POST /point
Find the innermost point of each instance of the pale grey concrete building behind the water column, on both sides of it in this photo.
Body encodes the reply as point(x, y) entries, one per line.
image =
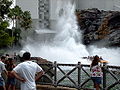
point(43, 11)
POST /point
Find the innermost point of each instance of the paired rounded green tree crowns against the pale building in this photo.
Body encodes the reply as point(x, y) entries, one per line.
point(22, 18)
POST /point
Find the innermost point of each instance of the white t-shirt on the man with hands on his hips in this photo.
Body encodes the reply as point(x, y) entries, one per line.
point(28, 71)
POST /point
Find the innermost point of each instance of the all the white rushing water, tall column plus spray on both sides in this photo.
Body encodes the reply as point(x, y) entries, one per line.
point(64, 43)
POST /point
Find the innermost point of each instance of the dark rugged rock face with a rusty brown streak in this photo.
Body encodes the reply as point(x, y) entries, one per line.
point(100, 26)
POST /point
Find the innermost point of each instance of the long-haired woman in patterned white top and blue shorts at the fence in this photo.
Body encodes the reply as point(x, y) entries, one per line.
point(96, 72)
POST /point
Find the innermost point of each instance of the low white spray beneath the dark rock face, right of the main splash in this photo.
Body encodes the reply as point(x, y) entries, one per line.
point(109, 54)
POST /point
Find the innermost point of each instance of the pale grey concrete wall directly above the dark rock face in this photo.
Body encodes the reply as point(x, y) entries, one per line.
point(100, 4)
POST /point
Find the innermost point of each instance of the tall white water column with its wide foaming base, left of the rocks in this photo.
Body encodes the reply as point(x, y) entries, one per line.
point(66, 46)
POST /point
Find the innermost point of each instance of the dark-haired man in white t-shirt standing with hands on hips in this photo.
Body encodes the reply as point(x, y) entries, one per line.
point(26, 73)
